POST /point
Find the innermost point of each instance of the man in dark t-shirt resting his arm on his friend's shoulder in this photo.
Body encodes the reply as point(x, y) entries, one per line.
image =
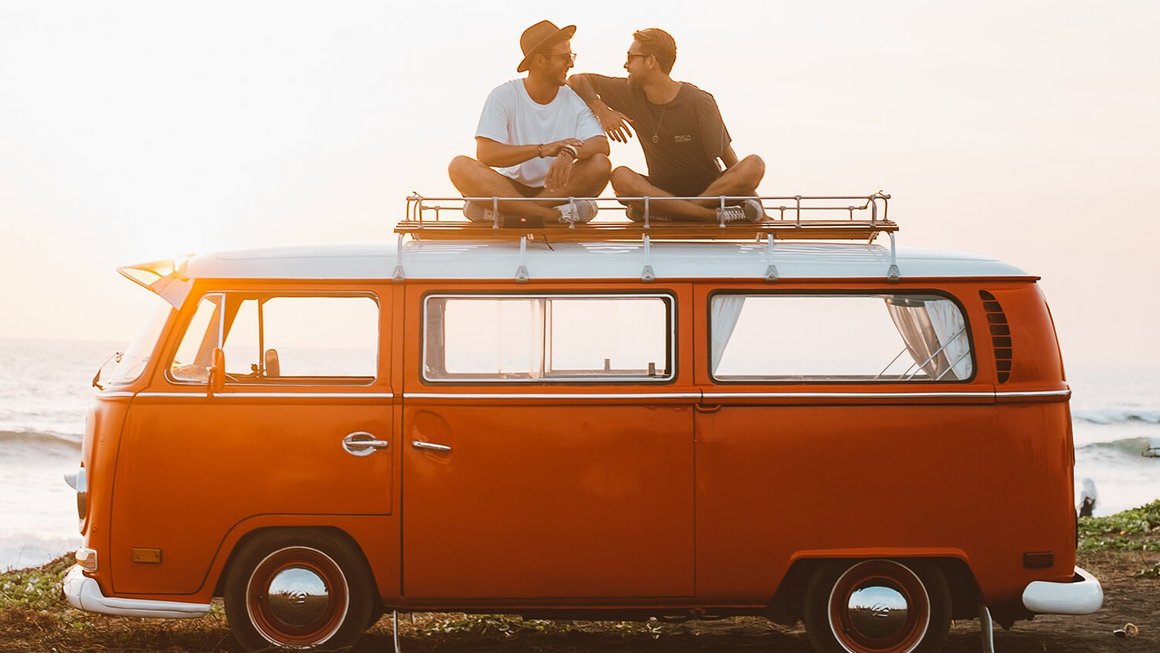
point(681, 132)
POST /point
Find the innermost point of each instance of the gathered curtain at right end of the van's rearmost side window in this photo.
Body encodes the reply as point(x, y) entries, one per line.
point(936, 336)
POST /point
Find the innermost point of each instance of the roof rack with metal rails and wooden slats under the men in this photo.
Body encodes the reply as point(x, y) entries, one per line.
point(811, 217)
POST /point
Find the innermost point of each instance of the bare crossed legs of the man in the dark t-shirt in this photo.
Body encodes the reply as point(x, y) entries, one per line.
point(742, 179)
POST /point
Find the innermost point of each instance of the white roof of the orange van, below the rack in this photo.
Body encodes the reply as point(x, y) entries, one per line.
point(607, 260)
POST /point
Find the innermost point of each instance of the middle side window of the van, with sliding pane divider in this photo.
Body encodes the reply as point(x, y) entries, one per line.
point(548, 338)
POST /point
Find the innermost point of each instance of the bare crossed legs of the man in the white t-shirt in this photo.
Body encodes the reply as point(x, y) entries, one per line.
point(474, 179)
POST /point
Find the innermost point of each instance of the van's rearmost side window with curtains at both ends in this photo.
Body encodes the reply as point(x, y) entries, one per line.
point(847, 338)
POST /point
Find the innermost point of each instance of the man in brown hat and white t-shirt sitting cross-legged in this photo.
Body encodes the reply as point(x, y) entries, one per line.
point(541, 139)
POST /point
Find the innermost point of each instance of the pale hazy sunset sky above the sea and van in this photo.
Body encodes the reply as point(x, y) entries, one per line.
point(136, 132)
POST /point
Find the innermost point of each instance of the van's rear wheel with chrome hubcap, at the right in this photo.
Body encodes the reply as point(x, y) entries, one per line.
point(878, 607)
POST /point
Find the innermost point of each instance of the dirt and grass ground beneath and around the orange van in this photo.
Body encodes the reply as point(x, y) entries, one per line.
point(1127, 600)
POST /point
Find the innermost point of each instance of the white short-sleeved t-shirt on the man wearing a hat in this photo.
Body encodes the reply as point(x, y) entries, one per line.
point(512, 118)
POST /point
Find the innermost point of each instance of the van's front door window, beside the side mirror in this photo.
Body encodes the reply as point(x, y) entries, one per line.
point(284, 339)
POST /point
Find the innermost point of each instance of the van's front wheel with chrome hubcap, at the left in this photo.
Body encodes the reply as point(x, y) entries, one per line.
point(299, 590)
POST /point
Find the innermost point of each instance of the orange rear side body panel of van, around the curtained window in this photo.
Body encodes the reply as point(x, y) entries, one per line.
point(780, 478)
